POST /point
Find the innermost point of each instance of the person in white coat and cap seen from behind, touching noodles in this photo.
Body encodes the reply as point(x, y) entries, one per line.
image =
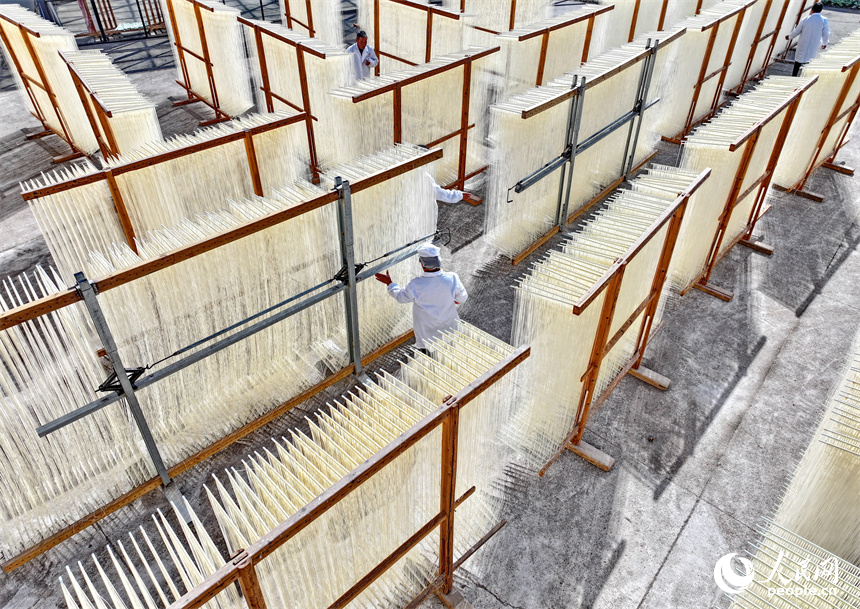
point(434, 296)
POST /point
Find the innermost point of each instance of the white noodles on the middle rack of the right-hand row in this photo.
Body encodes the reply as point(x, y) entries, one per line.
point(709, 146)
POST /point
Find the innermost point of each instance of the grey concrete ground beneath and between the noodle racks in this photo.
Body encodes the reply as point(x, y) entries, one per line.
point(698, 466)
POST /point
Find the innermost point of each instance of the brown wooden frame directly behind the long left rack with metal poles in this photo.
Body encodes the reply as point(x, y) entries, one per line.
point(109, 175)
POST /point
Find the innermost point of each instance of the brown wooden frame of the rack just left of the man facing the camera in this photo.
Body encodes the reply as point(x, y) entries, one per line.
point(264, 29)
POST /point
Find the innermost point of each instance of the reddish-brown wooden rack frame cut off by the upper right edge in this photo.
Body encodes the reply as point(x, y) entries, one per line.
point(827, 158)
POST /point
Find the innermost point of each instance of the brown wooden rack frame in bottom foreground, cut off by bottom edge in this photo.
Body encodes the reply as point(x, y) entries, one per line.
point(241, 567)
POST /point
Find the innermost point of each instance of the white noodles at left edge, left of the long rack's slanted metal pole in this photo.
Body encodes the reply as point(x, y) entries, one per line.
point(48, 367)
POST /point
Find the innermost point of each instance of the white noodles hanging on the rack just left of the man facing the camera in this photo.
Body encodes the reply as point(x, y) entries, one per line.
point(322, 74)
